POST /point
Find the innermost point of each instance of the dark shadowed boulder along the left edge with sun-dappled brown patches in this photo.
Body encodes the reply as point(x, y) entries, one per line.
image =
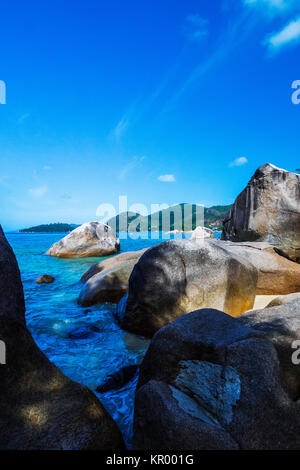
point(40, 408)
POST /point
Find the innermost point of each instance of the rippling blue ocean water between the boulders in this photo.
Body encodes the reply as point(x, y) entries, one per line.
point(56, 321)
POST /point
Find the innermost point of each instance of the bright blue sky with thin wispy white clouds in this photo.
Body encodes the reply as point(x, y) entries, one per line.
point(162, 101)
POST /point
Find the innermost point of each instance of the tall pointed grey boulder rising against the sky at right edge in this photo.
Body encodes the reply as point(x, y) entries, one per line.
point(268, 209)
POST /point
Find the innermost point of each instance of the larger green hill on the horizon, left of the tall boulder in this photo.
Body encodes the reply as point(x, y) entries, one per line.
point(180, 217)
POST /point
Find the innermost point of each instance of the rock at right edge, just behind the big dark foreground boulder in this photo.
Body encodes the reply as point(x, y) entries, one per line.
point(281, 325)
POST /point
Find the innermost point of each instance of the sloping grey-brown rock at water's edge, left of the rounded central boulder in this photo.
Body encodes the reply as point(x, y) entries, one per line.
point(107, 281)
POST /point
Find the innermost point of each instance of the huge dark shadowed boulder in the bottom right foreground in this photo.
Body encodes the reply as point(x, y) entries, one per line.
point(210, 383)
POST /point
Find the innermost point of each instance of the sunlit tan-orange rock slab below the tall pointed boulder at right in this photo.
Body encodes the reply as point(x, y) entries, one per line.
point(276, 274)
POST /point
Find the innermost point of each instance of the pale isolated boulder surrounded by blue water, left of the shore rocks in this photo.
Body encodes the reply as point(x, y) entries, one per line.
point(90, 239)
